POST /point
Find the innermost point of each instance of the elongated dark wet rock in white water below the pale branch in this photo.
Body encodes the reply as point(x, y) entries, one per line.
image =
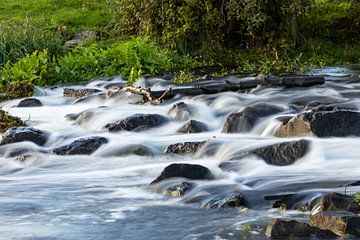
point(137, 122)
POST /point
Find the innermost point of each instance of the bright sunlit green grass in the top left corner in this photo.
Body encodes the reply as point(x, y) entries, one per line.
point(63, 15)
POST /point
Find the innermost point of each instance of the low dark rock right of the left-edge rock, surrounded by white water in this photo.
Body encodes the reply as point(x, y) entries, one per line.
point(83, 146)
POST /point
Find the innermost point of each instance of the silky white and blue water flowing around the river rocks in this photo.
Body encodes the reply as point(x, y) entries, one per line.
point(107, 195)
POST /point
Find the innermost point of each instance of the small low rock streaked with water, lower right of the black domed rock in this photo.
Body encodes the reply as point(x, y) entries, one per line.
point(228, 201)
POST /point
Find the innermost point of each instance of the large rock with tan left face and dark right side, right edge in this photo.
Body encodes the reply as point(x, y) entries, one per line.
point(322, 124)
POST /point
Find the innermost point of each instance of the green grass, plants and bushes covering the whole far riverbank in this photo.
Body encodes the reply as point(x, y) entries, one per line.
point(151, 37)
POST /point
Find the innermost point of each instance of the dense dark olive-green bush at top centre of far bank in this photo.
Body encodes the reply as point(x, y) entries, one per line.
point(211, 24)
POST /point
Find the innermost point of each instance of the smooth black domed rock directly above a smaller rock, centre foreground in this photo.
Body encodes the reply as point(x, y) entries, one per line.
point(183, 170)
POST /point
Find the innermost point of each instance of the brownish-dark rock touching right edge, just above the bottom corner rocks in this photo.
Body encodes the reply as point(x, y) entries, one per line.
point(334, 202)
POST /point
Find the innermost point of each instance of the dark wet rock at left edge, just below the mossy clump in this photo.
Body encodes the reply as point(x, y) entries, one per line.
point(20, 134)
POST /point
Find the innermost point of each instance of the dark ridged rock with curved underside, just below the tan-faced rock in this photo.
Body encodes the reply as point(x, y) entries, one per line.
point(282, 154)
